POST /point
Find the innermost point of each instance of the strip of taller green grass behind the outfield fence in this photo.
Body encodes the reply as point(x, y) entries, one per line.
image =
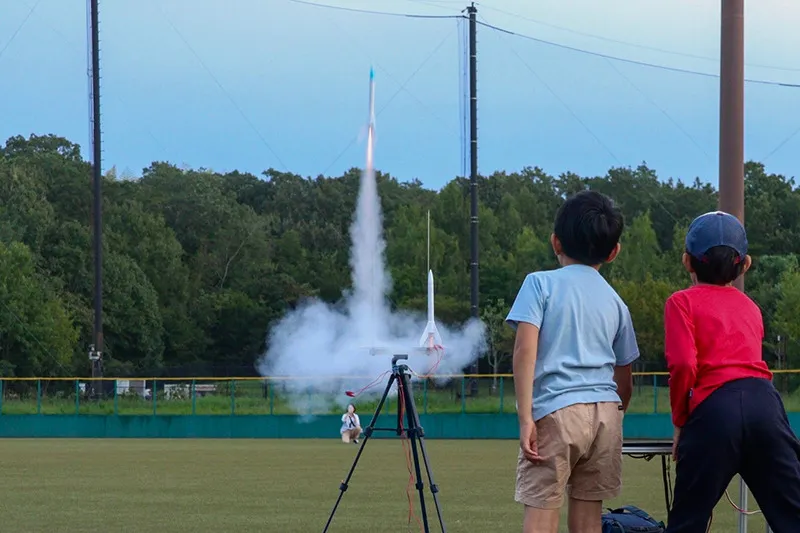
point(249, 397)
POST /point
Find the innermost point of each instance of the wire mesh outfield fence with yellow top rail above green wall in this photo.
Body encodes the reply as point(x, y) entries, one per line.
point(436, 394)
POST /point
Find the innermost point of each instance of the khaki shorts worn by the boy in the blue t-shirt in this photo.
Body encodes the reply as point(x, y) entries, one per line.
point(581, 447)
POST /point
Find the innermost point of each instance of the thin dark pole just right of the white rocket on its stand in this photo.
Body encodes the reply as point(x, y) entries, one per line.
point(473, 179)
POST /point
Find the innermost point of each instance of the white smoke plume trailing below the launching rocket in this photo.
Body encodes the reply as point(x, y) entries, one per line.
point(320, 351)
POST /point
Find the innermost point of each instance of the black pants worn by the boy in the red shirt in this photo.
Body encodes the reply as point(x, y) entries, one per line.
point(741, 428)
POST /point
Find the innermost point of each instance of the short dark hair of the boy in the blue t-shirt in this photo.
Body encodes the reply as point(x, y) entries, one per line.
point(589, 226)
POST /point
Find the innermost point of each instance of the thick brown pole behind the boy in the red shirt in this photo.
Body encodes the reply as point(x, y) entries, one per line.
point(731, 138)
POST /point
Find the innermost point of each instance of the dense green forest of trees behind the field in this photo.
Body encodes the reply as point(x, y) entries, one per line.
point(198, 264)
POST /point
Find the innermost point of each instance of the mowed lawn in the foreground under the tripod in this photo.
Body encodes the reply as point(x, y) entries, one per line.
point(281, 486)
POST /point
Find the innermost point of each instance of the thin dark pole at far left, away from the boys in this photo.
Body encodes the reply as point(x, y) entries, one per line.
point(96, 349)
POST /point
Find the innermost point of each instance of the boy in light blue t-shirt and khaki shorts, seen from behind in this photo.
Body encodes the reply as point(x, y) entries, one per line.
point(572, 372)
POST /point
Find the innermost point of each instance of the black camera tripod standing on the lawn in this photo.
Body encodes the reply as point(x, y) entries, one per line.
point(413, 430)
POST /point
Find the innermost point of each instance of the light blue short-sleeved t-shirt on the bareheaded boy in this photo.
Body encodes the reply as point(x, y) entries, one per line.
point(585, 330)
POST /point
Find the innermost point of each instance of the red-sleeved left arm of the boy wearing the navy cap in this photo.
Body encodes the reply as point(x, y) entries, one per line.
point(681, 353)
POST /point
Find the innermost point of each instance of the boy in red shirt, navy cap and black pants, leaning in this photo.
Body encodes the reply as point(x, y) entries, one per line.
point(728, 417)
